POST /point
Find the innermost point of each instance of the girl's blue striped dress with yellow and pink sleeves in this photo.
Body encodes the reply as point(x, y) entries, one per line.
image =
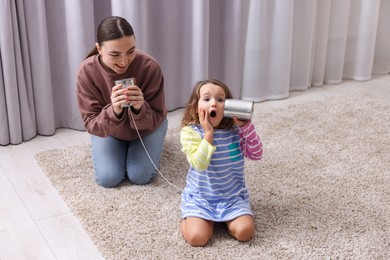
point(215, 186)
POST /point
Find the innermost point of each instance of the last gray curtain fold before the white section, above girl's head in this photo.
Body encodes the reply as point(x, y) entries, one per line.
point(226, 61)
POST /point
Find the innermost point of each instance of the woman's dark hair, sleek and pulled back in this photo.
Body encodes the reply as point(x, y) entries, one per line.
point(111, 28)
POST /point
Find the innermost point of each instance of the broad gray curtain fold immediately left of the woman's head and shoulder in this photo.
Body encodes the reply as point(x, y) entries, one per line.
point(70, 36)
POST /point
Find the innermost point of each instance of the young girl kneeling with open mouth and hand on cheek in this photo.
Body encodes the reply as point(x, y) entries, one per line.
point(215, 148)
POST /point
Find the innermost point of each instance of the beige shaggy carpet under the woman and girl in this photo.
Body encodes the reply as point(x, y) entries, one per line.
point(322, 191)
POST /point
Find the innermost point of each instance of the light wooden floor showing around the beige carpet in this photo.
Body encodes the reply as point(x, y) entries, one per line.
point(35, 223)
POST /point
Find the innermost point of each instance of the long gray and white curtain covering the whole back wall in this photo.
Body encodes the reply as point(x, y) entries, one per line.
point(261, 48)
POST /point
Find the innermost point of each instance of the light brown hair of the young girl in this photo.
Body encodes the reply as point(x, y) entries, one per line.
point(190, 116)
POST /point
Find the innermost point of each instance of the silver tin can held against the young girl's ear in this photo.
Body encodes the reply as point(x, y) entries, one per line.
point(242, 109)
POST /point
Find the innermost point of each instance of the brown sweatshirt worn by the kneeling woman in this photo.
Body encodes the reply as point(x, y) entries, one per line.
point(93, 91)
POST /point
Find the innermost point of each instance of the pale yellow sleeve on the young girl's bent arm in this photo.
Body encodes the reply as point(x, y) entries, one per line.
point(197, 150)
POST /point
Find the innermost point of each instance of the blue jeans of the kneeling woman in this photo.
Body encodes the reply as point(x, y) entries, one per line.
point(113, 158)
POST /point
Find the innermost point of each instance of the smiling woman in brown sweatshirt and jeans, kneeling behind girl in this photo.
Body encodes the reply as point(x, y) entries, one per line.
point(117, 150)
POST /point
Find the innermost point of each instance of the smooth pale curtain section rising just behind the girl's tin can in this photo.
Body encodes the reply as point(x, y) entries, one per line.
point(267, 58)
